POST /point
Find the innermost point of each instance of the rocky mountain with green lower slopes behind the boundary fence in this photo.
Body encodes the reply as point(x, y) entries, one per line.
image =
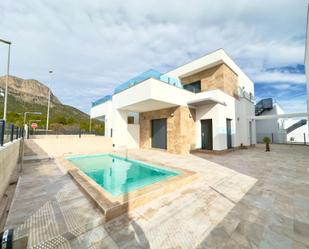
point(32, 95)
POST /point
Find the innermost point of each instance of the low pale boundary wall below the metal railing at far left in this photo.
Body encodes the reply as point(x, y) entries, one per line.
point(9, 154)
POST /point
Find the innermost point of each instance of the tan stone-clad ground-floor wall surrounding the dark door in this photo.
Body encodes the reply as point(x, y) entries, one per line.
point(180, 128)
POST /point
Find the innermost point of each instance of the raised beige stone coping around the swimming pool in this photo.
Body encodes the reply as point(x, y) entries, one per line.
point(114, 206)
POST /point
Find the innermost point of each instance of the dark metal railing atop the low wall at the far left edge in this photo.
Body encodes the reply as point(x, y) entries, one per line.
point(9, 132)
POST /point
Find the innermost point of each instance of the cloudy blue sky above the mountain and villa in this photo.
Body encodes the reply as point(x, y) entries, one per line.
point(92, 46)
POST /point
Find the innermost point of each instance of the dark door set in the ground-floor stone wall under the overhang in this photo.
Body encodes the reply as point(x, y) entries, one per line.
point(158, 133)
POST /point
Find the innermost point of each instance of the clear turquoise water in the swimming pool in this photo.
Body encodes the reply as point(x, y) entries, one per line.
point(118, 175)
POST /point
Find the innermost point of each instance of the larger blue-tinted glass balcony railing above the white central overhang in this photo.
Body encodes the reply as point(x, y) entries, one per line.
point(146, 75)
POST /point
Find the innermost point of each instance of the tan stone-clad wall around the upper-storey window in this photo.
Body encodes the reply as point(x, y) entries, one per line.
point(218, 77)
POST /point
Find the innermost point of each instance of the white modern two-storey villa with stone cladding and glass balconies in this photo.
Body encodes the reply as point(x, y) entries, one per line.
point(206, 104)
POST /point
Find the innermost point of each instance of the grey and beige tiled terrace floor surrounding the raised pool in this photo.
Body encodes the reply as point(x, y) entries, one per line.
point(244, 199)
